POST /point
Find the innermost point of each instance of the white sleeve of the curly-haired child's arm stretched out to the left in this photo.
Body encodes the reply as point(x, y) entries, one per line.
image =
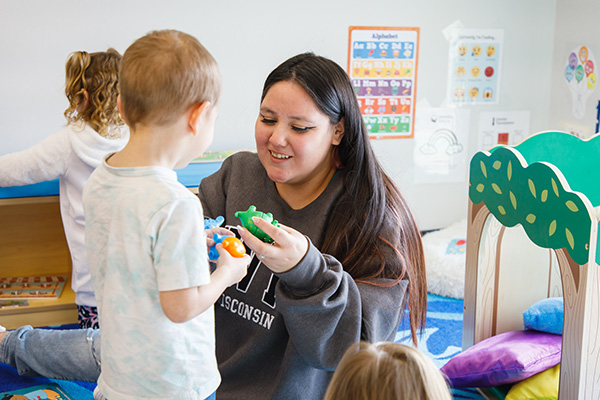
point(46, 160)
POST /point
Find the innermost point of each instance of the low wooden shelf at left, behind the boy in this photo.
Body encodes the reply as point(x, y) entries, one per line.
point(32, 243)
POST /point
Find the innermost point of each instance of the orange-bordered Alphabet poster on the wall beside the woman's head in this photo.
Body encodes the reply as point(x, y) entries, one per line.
point(382, 64)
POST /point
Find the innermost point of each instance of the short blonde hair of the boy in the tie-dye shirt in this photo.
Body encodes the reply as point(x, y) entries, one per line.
point(163, 74)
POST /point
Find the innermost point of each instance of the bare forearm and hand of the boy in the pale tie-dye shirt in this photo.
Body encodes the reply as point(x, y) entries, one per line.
point(184, 304)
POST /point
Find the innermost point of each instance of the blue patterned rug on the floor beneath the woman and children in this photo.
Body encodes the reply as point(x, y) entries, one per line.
point(441, 340)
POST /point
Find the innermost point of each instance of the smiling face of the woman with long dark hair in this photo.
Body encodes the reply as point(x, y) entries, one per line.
point(294, 139)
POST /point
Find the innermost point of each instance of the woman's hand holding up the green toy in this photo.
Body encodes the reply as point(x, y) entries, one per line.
point(285, 253)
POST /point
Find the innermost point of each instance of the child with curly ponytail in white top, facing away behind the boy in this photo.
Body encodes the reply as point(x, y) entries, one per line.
point(94, 129)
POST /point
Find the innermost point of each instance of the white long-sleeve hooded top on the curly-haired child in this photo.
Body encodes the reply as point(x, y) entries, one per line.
point(70, 155)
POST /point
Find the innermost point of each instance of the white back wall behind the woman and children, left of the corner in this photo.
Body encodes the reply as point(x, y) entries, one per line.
point(249, 39)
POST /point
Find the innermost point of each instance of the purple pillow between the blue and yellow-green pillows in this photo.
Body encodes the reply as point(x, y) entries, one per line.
point(505, 358)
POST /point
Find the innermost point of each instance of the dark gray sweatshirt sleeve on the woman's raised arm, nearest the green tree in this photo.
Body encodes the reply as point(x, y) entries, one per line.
point(326, 311)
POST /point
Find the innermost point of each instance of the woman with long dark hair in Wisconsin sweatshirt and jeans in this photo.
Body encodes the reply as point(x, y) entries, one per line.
point(343, 263)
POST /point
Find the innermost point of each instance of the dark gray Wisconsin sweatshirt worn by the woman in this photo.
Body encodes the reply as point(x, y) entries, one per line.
point(280, 336)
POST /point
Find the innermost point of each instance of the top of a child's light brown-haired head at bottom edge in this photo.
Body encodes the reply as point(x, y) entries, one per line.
point(386, 371)
